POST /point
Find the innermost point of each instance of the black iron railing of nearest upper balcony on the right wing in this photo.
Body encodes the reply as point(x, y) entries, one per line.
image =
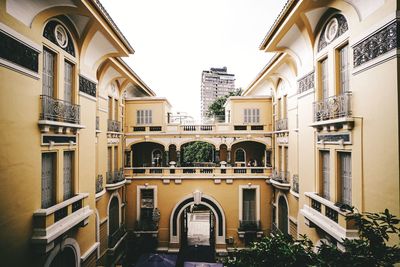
point(333, 107)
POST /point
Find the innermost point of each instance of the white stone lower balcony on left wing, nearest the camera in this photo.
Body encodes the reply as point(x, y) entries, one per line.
point(50, 223)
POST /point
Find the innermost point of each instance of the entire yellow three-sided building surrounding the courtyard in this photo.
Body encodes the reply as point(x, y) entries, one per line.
point(92, 158)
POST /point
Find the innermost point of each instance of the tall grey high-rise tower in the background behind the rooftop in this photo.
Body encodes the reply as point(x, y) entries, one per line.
point(215, 83)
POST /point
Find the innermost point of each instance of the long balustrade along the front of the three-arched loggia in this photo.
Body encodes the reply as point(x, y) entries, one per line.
point(205, 172)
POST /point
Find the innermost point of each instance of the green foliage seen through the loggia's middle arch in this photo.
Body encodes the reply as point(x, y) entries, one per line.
point(197, 152)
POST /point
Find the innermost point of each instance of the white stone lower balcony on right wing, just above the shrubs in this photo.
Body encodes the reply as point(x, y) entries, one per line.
point(322, 213)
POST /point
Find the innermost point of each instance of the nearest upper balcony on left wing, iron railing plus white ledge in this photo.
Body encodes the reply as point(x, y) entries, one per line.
point(59, 114)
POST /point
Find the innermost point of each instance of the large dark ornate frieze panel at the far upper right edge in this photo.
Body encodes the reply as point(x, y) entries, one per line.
point(377, 44)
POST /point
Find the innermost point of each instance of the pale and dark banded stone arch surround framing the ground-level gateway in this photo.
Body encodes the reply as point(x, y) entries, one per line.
point(198, 198)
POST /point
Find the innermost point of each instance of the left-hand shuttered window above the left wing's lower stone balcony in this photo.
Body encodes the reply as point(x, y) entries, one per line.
point(48, 180)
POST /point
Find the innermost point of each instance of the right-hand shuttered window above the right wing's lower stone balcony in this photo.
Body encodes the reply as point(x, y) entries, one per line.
point(345, 177)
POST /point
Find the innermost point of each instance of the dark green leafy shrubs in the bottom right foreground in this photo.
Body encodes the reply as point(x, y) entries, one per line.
point(371, 249)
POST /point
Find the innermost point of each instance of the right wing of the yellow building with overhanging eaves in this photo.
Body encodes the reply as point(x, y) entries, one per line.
point(334, 86)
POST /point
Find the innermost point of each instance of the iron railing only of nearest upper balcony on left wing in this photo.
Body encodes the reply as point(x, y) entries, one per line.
point(59, 110)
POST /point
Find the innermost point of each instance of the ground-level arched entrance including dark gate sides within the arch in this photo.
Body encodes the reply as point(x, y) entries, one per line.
point(207, 204)
